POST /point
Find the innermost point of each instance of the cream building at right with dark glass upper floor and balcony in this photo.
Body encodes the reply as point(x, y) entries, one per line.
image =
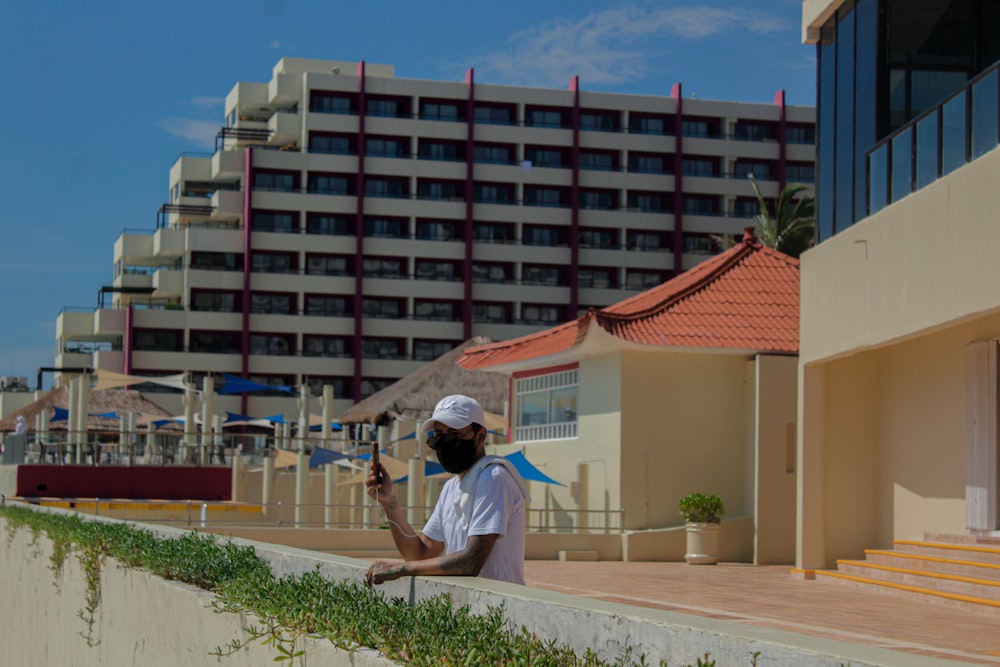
point(900, 312)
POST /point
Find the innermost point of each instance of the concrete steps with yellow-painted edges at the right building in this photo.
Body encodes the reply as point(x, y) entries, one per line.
point(952, 570)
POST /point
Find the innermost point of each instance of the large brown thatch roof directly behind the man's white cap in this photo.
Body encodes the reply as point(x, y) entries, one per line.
point(414, 396)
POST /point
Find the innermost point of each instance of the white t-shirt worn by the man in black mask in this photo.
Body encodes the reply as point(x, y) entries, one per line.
point(497, 508)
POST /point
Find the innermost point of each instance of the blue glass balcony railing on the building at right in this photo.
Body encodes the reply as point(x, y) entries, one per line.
point(947, 136)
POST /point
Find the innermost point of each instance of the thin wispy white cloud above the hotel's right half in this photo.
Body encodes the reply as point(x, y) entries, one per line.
point(612, 46)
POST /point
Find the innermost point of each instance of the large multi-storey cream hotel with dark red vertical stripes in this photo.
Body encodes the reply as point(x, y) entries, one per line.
point(351, 226)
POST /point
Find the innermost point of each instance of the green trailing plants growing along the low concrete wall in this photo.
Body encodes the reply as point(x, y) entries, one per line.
point(290, 608)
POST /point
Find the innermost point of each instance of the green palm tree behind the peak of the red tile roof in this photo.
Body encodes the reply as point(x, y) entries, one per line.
point(792, 228)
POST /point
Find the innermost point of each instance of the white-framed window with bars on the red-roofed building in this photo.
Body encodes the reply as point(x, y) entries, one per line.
point(546, 406)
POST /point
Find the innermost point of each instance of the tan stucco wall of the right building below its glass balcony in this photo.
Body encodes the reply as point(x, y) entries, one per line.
point(888, 307)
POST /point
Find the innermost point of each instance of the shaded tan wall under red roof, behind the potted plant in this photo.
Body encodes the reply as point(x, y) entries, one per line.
point(682, 432)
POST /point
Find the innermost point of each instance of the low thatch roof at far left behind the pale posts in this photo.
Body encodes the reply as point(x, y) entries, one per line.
point(101, 401)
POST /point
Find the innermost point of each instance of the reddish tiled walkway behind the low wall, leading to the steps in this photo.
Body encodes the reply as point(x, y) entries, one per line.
point(769, 596)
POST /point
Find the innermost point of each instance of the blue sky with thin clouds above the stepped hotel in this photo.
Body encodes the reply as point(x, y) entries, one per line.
point(101, 97)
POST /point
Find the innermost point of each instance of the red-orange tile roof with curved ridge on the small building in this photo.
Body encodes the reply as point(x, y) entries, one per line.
point(746, 298)
